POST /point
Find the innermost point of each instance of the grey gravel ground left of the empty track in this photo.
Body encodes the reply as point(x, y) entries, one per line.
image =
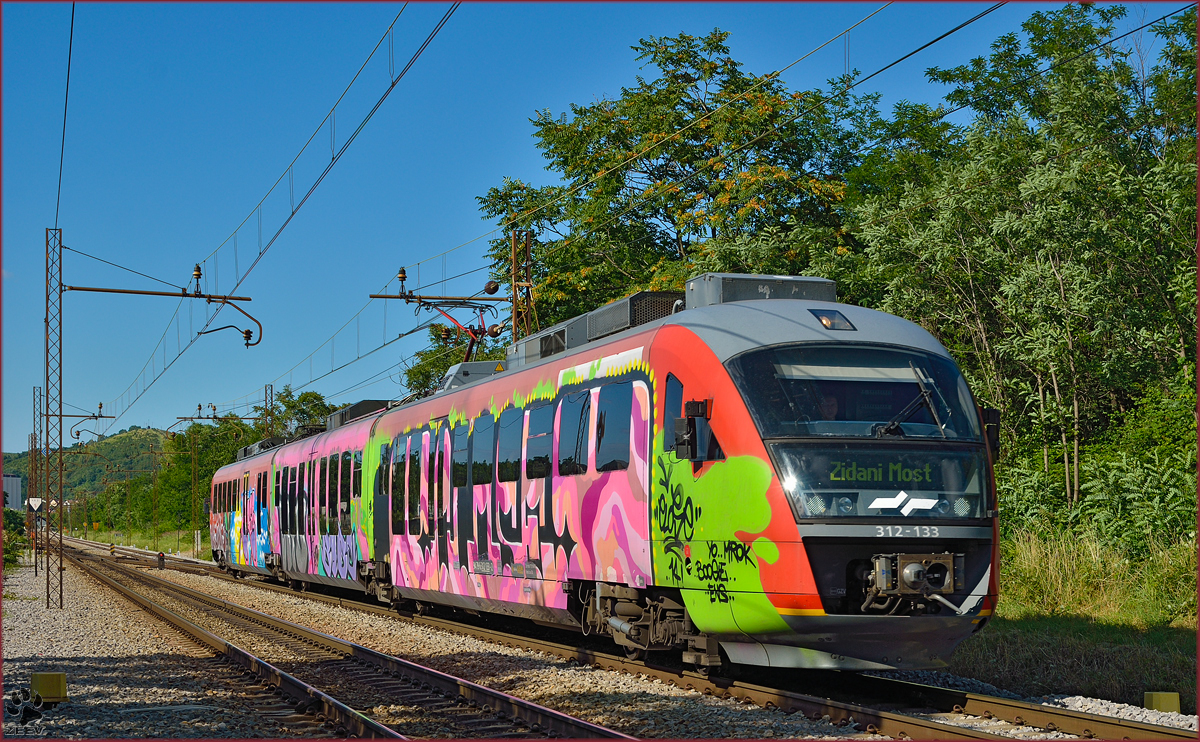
point(128, 675)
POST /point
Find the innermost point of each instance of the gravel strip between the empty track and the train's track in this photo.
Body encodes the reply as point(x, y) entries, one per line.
point(634, 705)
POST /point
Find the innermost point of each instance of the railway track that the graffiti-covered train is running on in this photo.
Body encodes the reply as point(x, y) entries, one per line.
point(939, 710)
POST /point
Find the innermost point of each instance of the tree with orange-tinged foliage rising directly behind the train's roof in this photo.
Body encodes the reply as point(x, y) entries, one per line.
point(701, 152)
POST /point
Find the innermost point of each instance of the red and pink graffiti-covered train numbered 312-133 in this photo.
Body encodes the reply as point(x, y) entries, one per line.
point(747, 472)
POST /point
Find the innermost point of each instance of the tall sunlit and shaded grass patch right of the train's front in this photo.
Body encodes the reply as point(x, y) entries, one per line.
point(1079, 615)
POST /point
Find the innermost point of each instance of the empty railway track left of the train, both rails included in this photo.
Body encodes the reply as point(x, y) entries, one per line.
point(346, 677)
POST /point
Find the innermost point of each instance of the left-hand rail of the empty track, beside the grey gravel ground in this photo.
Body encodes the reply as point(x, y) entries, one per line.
point(352, 721)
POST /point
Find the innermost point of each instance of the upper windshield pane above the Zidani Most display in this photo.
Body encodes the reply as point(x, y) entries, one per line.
point(821, 391)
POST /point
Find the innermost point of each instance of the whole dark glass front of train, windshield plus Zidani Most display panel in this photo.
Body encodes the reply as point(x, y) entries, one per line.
point(867, 432)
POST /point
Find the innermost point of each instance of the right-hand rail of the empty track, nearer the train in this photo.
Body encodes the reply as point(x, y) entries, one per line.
point(535, 715)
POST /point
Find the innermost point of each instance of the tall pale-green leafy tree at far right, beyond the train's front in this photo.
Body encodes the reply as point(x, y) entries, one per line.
point(1054, 254)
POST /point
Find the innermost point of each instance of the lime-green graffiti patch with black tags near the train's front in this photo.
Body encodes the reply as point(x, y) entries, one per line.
point(697, 547)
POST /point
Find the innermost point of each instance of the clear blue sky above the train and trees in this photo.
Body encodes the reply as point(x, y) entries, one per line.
point(183, 116)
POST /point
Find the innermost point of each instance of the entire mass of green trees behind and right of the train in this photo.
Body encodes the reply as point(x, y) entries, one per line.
point(1049, 243)
